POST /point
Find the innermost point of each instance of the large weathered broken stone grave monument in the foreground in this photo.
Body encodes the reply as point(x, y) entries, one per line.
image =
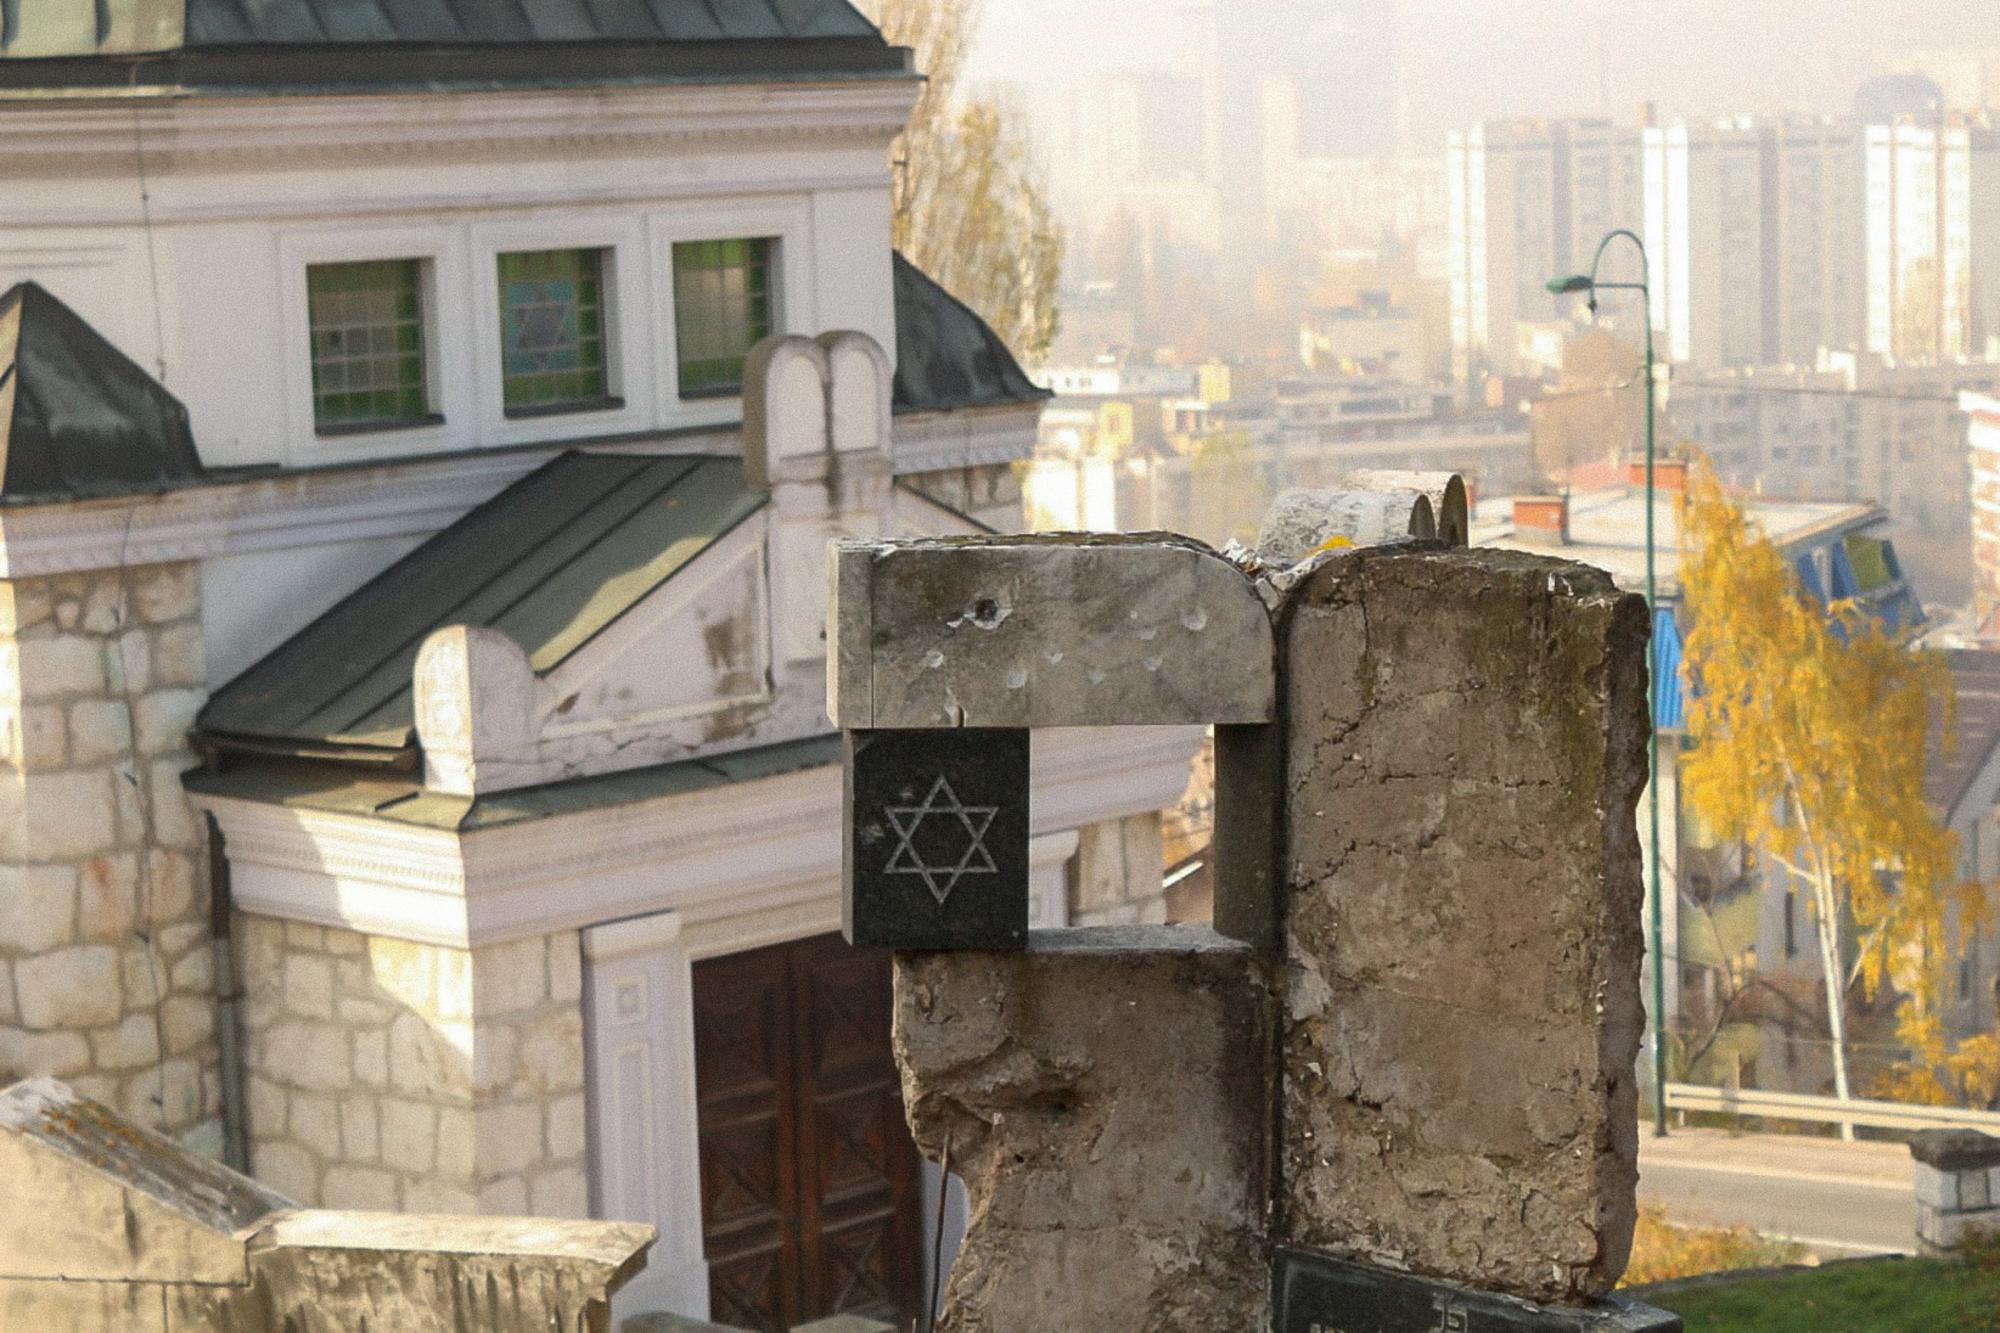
point(1393, 1088)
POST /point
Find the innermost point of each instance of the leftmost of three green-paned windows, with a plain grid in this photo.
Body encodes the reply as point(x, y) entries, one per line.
point(367, 345)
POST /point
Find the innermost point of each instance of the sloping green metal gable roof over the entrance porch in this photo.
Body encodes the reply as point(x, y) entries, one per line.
point(551, 561)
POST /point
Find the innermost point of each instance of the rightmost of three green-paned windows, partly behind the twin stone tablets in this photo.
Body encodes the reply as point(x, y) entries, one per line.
point(723, 307)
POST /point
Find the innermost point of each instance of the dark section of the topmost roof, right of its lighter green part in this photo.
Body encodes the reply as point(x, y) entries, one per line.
point(229, 23)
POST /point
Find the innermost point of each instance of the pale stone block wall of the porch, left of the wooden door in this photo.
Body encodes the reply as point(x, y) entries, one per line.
point(387, 1074)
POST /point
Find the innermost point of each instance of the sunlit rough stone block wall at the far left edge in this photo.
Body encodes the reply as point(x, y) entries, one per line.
point(105, 950)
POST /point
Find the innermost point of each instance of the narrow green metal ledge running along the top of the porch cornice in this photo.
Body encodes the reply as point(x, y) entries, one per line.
point(405, 802)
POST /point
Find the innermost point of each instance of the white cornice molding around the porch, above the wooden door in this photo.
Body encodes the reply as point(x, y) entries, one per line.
point(717, 854)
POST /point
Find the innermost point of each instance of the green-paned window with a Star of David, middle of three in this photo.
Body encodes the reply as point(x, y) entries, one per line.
point(553, 331)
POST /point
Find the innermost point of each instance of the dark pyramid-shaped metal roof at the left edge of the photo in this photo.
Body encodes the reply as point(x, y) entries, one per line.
point(79, 419)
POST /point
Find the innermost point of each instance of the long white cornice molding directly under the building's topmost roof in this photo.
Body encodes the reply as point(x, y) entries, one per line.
point(457, 123)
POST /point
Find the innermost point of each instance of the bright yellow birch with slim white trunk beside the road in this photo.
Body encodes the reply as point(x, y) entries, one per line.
point(1809, 736)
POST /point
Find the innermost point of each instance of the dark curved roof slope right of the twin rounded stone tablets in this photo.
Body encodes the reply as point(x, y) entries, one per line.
point(947, 357)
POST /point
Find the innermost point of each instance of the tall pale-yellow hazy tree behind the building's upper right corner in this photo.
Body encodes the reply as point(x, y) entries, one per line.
point(969, 209)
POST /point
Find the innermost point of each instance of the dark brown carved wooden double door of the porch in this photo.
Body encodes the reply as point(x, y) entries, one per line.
point(809, 1174)
